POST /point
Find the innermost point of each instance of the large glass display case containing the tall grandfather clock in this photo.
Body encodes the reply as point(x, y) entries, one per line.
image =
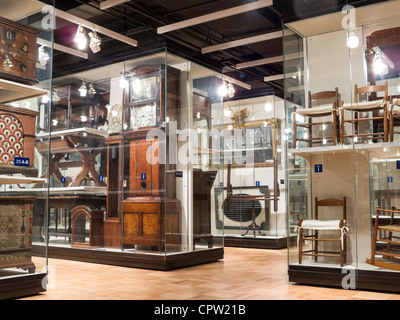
point(129, 182)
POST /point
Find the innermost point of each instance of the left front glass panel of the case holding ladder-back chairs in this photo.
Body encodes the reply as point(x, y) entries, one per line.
point(320, 164)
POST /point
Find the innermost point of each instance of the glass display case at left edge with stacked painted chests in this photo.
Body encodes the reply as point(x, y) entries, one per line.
point(25, 89)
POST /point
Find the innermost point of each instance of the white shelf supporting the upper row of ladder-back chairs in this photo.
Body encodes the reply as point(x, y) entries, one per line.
point(380, 150)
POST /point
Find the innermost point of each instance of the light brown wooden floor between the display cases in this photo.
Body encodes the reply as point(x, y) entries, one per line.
point(246, 274)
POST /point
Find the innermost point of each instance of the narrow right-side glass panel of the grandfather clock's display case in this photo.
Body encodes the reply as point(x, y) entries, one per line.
point(195, 164)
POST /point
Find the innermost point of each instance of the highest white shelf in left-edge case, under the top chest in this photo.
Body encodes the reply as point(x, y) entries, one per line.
point(12, 91)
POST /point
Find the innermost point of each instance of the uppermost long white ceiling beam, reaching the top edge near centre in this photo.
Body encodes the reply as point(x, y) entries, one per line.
point(215, 16)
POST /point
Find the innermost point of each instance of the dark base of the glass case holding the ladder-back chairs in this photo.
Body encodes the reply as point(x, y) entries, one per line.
point(383, 281)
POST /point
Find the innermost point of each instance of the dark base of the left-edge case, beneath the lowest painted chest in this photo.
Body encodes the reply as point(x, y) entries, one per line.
point(21, 285)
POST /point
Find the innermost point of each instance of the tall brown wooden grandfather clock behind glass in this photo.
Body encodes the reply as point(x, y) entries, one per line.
point(151, 212)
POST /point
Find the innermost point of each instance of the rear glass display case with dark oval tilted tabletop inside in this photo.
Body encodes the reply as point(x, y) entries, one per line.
point(254, 142)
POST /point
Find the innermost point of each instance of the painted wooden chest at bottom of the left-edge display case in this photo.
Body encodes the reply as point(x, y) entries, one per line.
point(16, 232)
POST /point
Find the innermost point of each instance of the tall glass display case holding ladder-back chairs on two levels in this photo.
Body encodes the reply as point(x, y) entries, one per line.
point(341, 91)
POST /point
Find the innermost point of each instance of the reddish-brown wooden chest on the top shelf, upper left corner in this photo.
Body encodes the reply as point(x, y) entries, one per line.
point(18, 52)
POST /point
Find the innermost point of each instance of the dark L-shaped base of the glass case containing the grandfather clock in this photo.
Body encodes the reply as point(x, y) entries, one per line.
point(160, 262)
